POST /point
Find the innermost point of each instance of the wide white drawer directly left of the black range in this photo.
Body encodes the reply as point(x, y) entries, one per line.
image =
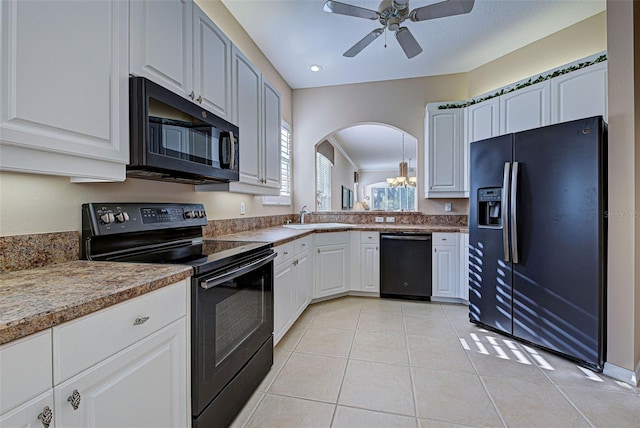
point(80, 344)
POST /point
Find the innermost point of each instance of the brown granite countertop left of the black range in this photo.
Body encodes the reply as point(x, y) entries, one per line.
point(36, 299)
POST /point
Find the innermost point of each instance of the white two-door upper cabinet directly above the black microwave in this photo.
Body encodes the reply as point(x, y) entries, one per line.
point(175, 44)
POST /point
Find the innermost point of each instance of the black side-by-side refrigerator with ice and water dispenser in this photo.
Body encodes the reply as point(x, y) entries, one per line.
point(537, 237)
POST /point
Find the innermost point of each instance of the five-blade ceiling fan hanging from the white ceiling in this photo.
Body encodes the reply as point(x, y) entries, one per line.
point(391, 14)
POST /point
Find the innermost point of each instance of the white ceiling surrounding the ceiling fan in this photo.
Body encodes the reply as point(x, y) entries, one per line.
point(294, 34)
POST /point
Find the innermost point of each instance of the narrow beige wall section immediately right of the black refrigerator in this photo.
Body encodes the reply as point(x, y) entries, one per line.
point(623, 317)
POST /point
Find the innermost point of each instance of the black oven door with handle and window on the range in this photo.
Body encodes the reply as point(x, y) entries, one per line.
point(232, 317)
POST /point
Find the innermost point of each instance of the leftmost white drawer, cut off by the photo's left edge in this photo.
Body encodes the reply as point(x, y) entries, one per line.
point(25, 369)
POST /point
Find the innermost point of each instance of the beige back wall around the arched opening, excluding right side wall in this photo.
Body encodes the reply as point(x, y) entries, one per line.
point(319, 112)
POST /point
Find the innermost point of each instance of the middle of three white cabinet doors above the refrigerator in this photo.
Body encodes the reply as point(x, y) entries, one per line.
point(526, 108)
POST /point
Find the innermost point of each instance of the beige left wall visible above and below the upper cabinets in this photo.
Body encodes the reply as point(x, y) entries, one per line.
point(38, 203)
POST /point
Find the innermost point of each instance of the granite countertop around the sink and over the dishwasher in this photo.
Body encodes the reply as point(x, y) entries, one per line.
point(280, 235)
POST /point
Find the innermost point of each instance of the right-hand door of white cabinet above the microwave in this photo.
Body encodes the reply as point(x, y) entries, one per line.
point(212, 66)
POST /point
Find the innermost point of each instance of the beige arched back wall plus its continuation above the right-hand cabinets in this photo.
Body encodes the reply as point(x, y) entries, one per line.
point(318, 112)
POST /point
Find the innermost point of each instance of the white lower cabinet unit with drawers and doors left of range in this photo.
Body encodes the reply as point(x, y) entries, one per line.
point(124, 366)
